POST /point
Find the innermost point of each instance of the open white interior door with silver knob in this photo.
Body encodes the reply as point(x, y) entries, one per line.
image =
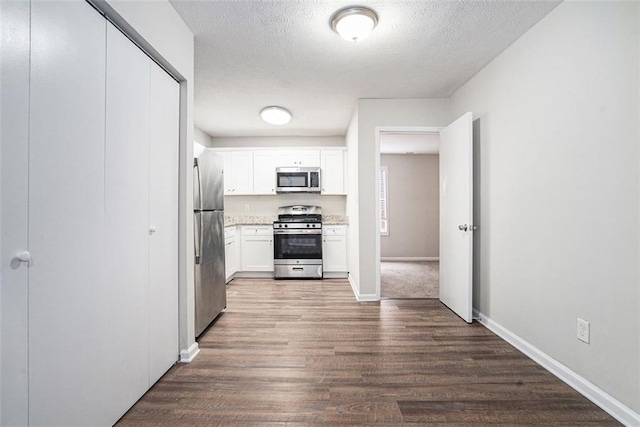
point(456, 214)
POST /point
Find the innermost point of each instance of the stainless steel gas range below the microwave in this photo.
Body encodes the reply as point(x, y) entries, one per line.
point(297, 249)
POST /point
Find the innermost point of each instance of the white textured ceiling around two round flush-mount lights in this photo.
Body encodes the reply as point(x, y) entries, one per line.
point(254, 53)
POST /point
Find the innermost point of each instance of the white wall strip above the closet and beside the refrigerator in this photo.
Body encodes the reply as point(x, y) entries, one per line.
point(158, 28)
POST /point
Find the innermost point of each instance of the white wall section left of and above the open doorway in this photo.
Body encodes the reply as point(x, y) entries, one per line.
point(373, 113)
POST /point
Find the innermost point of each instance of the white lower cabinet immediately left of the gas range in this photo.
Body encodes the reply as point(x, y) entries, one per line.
point(256, 248)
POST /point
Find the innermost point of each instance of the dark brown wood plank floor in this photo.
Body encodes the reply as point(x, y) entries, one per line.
point(306, 353)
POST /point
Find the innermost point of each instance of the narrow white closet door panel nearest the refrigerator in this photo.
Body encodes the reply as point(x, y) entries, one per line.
point(163, 218)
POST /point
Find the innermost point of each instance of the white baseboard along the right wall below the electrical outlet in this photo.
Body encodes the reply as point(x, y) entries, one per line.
point(583, 386)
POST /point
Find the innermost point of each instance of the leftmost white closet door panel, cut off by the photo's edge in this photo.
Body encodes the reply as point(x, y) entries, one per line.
point(14, 202)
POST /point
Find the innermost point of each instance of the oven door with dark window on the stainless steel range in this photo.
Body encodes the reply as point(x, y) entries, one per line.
point(297, 245)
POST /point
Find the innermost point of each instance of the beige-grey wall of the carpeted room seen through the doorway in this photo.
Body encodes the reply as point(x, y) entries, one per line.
point(413, 202)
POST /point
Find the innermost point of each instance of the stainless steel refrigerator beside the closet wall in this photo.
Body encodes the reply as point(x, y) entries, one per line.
point(208, 209)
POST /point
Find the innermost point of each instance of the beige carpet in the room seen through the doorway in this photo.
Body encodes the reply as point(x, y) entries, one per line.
point(409, 279)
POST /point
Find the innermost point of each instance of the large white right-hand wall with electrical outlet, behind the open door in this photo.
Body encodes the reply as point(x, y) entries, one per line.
point(557, 123)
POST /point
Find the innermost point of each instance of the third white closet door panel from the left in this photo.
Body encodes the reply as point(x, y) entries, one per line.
point(126, 219)
